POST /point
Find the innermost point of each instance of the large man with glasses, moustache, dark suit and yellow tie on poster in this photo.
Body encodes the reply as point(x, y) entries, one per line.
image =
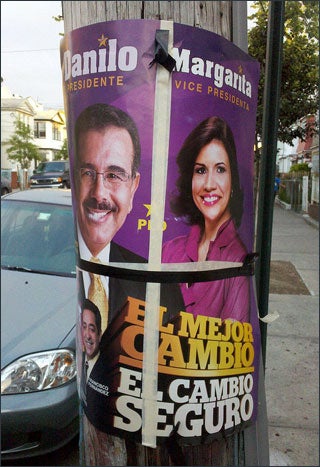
point(106, 177)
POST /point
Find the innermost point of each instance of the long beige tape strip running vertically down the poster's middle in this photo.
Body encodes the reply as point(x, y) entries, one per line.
point(161, 131)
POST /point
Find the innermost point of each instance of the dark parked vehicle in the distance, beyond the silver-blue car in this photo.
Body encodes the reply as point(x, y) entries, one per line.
point(51, 174)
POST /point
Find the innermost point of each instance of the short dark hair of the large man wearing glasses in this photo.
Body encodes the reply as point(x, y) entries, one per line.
point(100, 116)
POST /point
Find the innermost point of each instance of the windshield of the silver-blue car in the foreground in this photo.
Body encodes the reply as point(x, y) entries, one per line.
point(37, 237)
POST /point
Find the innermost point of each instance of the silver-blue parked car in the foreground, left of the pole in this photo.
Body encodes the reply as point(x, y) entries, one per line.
point(39, 401)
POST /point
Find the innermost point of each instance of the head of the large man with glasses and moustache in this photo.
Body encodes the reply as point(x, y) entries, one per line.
point(106, 175)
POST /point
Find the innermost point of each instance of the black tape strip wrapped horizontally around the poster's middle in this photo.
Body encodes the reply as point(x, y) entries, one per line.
point(170, 277)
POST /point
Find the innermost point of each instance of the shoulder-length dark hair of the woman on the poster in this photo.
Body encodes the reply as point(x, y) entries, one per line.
point(213, 128)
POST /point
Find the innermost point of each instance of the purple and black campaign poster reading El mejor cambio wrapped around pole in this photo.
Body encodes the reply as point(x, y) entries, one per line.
point(161, 122)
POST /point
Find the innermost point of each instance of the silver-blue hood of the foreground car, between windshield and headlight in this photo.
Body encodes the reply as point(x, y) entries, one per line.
point(37, 312)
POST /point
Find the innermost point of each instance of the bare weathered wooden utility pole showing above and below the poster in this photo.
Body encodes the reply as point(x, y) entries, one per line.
point(219, 17)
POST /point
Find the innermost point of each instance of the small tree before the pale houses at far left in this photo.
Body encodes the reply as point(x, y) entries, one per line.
point(21, 148)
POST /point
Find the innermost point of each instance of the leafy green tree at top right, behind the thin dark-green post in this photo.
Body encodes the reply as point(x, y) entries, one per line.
point(299, 79)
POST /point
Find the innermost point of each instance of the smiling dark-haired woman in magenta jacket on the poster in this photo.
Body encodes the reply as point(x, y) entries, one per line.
point(209, 198)
